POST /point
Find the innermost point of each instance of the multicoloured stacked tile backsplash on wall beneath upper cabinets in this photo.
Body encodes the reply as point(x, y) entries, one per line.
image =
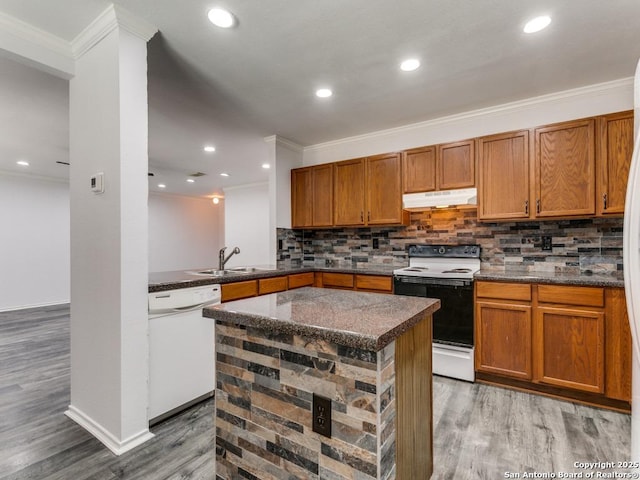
point(577, 245)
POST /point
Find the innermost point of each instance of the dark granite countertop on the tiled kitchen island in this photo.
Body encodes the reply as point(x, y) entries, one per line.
point(369, 321)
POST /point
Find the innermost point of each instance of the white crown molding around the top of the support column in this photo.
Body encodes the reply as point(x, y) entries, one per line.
point(112, 17)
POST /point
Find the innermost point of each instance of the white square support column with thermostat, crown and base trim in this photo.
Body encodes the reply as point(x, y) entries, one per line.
point(109, 231)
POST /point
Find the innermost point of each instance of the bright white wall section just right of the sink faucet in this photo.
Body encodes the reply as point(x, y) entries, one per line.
point(246, 216)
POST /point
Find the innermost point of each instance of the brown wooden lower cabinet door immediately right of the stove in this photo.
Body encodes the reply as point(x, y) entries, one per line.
point(503, 339)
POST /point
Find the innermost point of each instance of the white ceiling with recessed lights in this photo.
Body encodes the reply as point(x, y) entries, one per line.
point(232, 88)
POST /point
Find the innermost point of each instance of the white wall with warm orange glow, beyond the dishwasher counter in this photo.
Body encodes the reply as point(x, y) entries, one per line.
point(184, 232)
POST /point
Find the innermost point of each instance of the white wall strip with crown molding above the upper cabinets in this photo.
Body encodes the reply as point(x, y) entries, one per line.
point(557, 107)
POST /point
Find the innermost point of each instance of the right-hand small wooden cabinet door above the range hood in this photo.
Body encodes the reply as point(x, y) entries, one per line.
point(456, 165)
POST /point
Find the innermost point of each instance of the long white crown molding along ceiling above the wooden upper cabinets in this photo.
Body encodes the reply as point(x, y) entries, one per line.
point(548, 99)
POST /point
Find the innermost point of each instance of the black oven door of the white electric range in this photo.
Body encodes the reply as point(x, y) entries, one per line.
point(453, 323)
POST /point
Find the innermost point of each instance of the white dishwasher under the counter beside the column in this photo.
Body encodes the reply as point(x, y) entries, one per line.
point(181, 349)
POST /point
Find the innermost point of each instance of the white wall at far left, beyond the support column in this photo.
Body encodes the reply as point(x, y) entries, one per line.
point(34, 240)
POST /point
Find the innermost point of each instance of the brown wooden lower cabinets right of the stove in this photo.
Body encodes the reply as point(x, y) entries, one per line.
point(561, 340)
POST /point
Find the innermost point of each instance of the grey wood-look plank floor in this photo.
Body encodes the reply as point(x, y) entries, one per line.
point(480, 432)
